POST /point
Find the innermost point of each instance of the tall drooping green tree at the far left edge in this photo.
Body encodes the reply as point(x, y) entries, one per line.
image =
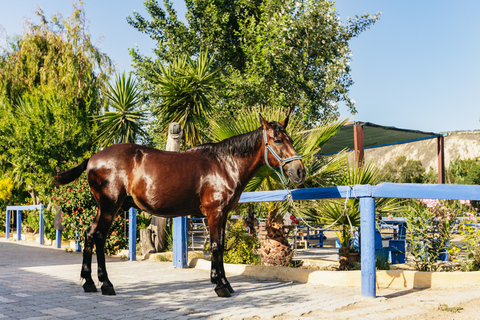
point(51, 81)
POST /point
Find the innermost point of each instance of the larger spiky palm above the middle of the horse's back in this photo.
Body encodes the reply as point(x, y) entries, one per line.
point(185, 88)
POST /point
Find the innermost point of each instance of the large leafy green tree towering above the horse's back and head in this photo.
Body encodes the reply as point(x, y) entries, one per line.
point(271, 52)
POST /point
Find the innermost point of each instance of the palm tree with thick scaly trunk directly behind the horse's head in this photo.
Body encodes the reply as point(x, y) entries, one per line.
point(306, 143)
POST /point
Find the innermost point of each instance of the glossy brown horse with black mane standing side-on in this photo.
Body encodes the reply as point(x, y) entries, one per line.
point(206, 180)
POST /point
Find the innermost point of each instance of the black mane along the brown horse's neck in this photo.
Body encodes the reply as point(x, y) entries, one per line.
point(241, 145)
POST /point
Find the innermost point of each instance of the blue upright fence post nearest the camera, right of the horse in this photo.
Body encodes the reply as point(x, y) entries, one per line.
point(367, 246)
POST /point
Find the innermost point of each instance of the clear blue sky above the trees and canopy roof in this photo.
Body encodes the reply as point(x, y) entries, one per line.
point(416, 68)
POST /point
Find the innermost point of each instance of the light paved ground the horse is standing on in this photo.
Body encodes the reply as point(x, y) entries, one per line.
point(43, 283)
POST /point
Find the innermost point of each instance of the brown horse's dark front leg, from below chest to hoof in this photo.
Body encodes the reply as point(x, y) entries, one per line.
point(217, 273)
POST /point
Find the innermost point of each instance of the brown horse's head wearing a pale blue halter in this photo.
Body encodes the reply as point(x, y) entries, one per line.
point(279, 151)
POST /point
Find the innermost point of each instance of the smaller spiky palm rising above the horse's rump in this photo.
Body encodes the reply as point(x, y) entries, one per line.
point(125, 123)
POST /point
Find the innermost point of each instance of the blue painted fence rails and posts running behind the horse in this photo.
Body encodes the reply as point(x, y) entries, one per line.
point(365, 193)
